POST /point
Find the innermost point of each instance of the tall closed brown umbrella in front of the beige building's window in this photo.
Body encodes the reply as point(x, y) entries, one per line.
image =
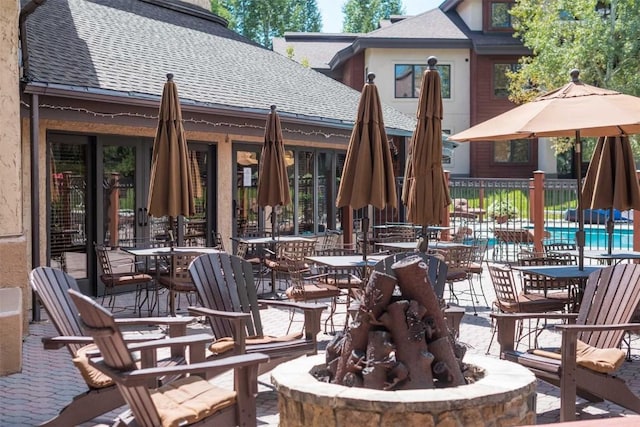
point(425, 192)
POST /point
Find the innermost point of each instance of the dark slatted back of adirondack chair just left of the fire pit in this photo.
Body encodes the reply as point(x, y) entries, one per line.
point(235, 291)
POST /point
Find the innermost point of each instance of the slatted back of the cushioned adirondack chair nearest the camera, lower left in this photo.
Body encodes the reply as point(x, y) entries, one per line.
point(113, 349)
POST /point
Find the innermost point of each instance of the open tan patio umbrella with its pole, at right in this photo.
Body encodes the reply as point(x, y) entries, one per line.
point(574, 110)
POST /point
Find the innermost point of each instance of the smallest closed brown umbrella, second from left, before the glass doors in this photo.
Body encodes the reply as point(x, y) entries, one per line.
point(273, 181)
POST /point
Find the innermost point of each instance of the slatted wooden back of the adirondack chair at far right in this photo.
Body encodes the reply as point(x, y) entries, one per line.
point(611, 296)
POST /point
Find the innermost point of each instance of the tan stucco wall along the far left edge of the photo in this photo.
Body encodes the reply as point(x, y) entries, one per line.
point(14, 260)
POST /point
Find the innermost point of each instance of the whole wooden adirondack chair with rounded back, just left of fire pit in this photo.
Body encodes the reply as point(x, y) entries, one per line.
point(228, 295)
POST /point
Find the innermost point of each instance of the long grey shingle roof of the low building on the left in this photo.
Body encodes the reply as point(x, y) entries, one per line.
point(128, 47)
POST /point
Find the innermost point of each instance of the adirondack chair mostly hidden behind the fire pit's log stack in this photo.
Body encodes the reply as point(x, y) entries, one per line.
point(437, 271)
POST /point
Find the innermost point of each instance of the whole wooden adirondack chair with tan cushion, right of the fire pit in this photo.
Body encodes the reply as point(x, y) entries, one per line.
point(609, 300)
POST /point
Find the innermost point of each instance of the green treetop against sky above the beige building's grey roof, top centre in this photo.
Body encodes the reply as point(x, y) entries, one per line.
point(363, 16)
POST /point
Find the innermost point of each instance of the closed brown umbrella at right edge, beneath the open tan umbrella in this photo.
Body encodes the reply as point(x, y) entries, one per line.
point(611, 181)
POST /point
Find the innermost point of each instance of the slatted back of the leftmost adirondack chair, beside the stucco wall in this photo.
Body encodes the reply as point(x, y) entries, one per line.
point(52, 285)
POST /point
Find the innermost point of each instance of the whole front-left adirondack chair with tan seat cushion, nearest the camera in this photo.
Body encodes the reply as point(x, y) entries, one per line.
point(189, 400)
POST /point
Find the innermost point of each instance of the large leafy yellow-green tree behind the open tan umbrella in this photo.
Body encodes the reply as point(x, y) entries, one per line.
point(597, 37)
